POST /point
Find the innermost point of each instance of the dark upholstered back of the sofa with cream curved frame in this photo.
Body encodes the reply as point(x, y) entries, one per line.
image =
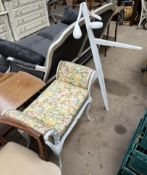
point(69, 49)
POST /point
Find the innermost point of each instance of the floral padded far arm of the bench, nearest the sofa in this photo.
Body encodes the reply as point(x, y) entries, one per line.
point(75, 74)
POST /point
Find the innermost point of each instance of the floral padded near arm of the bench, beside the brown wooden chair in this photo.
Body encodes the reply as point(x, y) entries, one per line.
point(30, 121)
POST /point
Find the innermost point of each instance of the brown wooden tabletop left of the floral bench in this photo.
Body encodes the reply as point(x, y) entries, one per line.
point(17, 88)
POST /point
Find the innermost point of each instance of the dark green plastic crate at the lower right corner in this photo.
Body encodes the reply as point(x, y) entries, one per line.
point(131, 164)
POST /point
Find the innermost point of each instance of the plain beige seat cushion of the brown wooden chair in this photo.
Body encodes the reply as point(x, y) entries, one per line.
point(16, 159)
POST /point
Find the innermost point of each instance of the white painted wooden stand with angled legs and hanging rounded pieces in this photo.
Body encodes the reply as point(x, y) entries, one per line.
point(94, 42)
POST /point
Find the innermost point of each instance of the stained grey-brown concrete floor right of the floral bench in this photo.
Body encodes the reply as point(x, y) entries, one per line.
point(97, 147)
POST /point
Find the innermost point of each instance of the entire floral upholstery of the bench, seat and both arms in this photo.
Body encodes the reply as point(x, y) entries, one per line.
point(59, 103)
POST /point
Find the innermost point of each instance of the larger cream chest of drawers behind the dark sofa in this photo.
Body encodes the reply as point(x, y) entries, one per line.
point(26, 16)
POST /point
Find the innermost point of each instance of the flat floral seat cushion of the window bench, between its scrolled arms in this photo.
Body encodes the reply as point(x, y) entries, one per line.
point(57, 106)
